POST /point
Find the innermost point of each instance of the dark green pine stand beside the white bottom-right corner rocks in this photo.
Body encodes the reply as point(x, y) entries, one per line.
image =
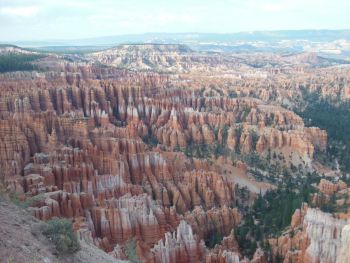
point(270, 214)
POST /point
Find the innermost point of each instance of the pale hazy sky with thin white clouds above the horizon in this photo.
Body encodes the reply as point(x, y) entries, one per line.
point(70, 19)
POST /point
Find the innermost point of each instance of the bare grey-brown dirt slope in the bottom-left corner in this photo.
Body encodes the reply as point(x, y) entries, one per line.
point(22, 241)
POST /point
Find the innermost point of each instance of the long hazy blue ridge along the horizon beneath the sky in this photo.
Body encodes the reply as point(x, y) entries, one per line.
point(195, 38)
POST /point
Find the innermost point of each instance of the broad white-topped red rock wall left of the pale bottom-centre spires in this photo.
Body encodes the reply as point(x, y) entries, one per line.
point(132, 217)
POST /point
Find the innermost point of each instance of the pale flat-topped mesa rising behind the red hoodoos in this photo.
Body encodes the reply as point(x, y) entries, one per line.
point(157, 57)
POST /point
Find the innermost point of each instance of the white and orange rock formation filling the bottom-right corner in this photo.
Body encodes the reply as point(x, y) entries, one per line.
point(318, 237)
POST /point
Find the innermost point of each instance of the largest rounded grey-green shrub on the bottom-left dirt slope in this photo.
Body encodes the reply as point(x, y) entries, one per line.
point(60, 232)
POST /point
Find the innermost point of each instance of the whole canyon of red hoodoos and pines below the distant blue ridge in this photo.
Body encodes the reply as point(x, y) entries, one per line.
point(166, 153)
